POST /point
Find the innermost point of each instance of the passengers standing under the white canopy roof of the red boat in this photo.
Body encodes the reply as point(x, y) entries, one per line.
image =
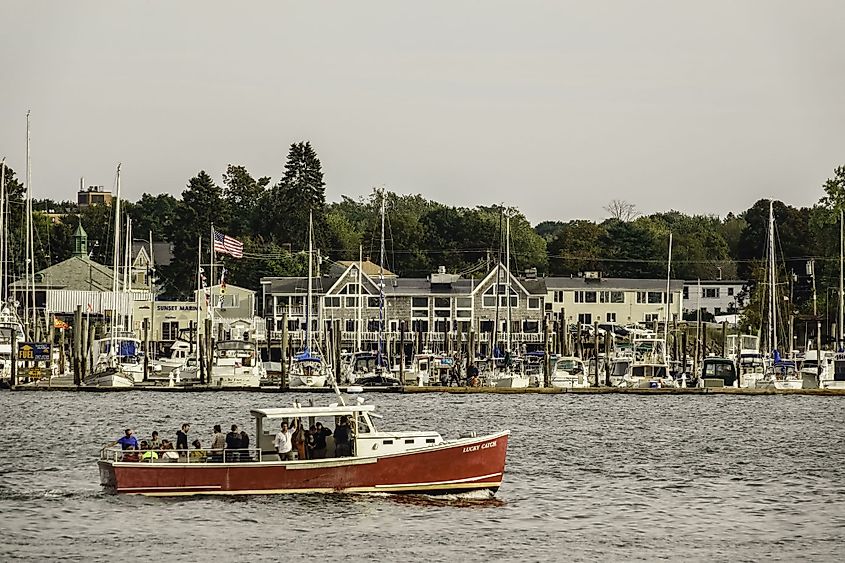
point(293, 441)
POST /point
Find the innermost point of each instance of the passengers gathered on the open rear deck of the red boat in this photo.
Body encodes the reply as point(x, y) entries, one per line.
point(232, 447)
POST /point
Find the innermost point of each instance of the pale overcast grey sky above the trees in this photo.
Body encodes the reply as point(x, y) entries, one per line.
point(555, 107)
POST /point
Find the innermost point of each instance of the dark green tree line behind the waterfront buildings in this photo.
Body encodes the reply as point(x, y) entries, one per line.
point(271, 219)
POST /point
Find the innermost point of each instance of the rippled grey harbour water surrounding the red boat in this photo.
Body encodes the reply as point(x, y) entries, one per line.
point(605, 477)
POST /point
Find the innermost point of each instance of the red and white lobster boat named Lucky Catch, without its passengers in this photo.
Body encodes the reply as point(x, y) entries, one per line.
point(392, 462)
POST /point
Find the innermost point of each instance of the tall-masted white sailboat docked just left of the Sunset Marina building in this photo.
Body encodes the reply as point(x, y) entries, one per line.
point(118, 360)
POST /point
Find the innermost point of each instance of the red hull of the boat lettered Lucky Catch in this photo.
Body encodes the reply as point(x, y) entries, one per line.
point(465, 465)
